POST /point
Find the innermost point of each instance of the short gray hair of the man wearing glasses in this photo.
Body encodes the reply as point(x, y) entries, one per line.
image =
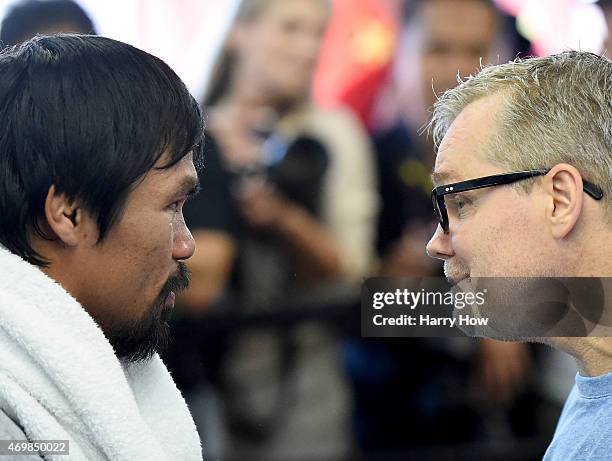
point(555, 109)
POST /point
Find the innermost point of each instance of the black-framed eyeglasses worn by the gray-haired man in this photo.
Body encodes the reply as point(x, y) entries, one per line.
point(438, 193)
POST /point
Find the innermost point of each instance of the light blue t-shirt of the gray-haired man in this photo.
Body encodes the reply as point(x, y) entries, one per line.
point(584, 431)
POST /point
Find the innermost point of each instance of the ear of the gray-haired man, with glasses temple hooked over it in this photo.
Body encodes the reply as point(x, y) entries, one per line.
point(565, 189)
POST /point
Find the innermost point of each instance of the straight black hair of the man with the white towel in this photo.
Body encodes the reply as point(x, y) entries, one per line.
point(91, 116)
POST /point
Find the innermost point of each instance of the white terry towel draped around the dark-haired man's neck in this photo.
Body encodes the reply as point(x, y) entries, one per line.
point(60, 379)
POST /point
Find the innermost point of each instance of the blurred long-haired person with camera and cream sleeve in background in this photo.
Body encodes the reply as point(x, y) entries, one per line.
point(287, 216)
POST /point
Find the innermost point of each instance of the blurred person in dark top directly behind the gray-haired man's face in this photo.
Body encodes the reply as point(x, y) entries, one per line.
point(411, 391)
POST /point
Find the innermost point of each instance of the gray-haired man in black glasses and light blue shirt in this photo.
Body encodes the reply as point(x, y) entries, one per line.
point(523, 180)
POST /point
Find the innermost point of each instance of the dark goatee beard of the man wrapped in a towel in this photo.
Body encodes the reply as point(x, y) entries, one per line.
point(139, 340)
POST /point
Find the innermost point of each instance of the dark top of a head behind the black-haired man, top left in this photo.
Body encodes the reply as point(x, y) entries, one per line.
point(29, 17)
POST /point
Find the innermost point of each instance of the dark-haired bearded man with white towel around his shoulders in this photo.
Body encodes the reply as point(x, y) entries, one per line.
point(99, 145)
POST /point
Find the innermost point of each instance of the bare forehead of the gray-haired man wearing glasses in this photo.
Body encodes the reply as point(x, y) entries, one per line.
point(462, 152)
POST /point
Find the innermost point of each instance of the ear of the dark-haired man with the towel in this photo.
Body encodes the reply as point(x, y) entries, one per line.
point(64, 218)
